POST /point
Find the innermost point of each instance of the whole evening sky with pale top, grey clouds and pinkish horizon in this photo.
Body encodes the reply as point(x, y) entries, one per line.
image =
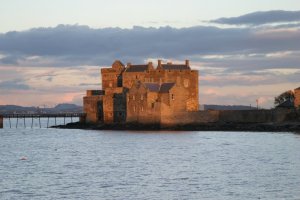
point(52, 51)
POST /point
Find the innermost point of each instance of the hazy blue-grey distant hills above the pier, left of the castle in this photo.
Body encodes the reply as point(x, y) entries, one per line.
point(31, 110)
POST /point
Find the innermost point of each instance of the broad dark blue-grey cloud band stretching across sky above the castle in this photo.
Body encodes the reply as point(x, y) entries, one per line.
point(80, 45)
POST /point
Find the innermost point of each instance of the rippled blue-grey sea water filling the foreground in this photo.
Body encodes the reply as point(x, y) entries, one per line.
point(47, 163)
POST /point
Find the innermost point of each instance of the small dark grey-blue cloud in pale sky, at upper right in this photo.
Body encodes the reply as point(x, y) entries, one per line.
point(263, 17)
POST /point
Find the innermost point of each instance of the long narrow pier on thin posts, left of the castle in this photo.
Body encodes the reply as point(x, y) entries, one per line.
point(22, 117)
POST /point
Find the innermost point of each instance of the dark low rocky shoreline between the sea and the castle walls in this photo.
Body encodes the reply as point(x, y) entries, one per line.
point(255, 127)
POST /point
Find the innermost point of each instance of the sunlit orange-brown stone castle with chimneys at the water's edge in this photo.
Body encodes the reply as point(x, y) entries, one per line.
point(143, 94)
